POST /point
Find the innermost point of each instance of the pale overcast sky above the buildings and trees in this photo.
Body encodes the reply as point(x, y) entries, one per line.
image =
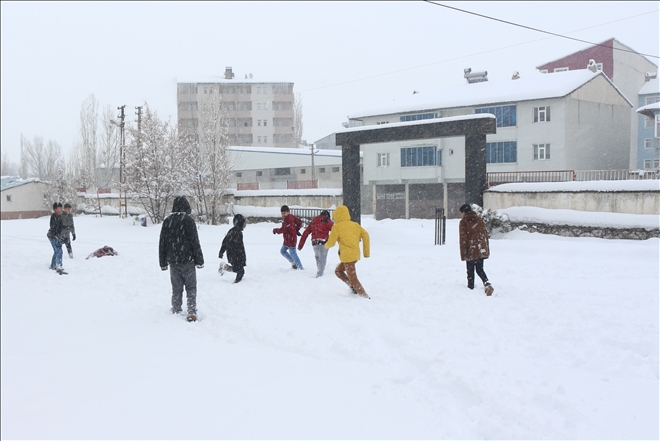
point(341, 56)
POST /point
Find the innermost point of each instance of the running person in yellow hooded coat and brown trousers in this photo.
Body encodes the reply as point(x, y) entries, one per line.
point(348, 234)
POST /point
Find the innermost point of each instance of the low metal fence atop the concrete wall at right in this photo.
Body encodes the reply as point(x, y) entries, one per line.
point(496, 178)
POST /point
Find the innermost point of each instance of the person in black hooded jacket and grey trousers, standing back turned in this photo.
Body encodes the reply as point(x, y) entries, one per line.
point(179, 247)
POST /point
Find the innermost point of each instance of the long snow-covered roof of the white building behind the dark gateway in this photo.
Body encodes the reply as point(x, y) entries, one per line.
point(533, 87)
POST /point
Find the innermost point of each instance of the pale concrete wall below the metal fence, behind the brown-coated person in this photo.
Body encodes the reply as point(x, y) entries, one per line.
point(647, 202)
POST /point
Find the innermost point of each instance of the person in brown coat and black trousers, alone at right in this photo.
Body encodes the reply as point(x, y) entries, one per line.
point(473, 240)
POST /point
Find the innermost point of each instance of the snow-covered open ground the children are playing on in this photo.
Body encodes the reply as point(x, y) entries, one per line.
point(566, 348)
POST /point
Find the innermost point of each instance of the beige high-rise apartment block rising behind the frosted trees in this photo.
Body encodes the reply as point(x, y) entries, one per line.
point(261, 113)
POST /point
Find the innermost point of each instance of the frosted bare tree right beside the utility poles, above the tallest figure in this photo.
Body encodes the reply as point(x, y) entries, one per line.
point(153, 172)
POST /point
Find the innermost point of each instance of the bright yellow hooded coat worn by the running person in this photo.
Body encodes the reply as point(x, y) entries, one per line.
point(348, 234)
